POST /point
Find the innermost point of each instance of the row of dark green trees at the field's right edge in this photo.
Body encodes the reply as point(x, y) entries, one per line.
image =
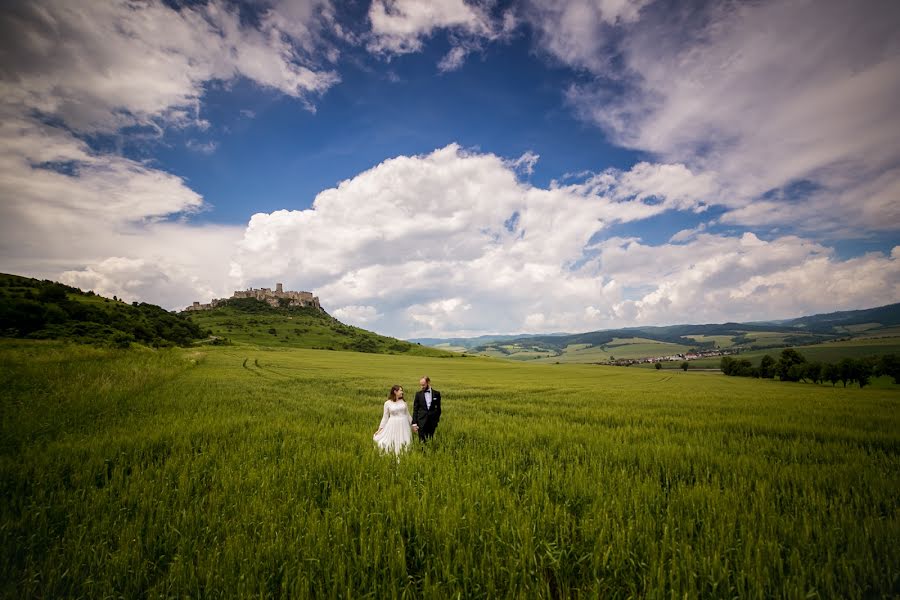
point(791, 365)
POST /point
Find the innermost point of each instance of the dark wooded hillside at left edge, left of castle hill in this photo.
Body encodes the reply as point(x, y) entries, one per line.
point(35, 309)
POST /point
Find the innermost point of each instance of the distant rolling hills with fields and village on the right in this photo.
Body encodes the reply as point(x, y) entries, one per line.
point(635, 343)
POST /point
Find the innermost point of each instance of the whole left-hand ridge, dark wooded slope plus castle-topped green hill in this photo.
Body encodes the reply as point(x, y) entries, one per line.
point(42, 309)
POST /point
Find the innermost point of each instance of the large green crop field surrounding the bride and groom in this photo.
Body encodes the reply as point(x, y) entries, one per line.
point(234, 471)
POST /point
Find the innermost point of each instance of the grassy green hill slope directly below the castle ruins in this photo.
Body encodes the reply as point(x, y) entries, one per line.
point(251, 321)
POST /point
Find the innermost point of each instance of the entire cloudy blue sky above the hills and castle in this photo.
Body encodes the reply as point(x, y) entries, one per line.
point(458, 168)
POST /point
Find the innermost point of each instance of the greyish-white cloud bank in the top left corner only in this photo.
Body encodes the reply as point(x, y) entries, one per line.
point(100, 66)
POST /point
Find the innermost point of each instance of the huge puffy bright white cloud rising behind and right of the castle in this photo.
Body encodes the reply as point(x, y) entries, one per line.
point(453, 242)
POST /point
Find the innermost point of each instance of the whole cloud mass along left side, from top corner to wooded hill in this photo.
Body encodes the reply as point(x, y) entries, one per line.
point(101, 220)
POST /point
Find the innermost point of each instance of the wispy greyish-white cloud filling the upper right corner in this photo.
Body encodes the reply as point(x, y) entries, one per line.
point(763, 95)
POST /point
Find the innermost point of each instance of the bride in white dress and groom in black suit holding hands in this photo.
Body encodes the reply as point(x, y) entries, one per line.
point(396, 427)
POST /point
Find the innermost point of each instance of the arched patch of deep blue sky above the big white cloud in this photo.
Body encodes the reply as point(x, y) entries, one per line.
point(507, 101)
